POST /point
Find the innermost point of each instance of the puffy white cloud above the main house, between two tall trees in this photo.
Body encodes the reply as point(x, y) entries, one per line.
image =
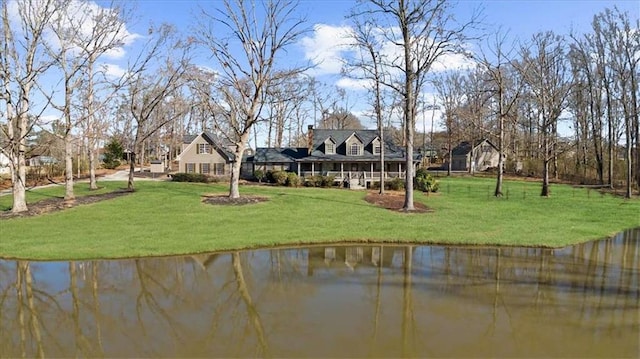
point(325, 48)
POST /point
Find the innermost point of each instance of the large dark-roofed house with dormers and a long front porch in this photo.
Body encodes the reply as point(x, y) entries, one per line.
point(349, 155)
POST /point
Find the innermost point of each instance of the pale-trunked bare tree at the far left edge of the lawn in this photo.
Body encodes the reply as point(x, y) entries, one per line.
point(22, 63)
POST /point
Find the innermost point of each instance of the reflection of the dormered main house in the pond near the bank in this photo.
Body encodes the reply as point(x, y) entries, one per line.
point(353, 257)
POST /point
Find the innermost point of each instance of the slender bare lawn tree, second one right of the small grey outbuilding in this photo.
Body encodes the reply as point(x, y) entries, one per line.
point(544, 70)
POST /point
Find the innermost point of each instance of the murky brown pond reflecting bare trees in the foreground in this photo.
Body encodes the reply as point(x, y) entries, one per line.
point(346, 301)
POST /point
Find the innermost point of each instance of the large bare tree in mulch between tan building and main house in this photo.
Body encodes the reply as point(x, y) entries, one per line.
point(262, 31)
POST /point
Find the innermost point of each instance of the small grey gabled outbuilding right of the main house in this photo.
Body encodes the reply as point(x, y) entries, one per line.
point(476, 157)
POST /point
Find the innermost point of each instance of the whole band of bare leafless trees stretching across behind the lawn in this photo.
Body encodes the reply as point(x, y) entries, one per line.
point(556, 106)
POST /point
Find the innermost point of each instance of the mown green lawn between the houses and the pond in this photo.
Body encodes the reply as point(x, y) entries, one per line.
point(166, 218)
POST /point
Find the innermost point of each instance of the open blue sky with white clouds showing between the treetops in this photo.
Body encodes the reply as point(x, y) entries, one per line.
point(327, 19)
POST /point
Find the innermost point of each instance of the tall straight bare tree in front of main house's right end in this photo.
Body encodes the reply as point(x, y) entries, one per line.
point(423, 31)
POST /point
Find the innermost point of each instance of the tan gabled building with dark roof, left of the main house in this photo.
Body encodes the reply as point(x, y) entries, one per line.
point(206, 153)
